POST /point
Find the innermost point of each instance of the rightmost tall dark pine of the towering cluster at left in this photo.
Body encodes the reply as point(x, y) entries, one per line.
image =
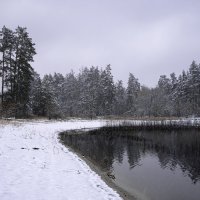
point(23, 72)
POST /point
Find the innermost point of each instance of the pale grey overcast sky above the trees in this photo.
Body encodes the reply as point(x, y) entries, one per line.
point(145, 37)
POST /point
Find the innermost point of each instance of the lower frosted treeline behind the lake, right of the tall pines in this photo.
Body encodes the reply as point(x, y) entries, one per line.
point(93, 92)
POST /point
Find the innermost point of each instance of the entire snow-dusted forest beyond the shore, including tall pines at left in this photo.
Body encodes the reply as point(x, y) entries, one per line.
point(90, 93)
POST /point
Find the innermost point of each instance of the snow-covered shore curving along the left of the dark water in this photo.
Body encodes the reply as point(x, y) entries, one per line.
point(35, 166)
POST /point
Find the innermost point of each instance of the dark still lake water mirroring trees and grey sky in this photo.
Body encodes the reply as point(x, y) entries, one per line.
point(157, 165)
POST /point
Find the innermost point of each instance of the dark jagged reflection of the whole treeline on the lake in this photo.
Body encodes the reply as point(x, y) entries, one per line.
point(180, 148)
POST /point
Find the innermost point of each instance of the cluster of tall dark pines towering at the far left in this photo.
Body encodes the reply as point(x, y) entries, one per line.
point(17, 51)
